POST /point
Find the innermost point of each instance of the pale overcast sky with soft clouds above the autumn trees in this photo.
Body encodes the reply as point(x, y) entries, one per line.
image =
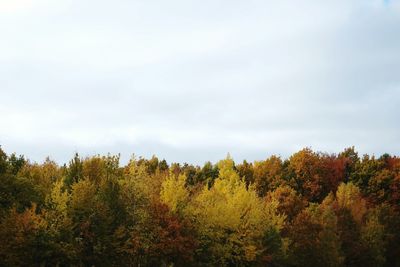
point(191, 81)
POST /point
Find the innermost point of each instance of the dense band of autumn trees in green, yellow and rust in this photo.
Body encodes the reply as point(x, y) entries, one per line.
point(312, 209)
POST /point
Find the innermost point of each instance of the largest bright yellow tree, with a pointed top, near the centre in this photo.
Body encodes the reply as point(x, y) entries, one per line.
point(232, 221)
